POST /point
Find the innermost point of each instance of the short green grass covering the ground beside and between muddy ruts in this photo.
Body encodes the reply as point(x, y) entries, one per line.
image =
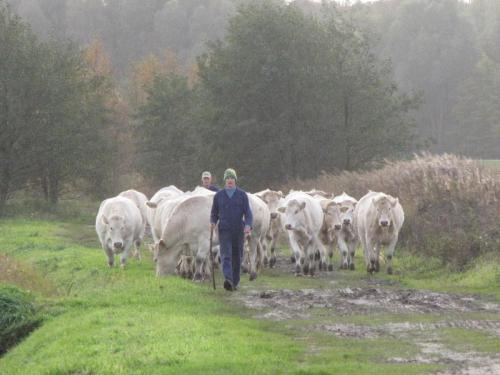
point(111, 321)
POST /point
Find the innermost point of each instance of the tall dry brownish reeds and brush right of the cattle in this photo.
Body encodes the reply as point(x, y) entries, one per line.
point(451, 203)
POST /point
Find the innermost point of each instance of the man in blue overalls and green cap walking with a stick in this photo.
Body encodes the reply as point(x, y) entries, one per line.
point(230, 206)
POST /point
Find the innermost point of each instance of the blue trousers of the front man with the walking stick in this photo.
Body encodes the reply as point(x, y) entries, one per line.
point(231, 251)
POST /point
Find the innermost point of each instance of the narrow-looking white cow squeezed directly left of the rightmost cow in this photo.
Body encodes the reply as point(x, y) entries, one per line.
point(347, 238)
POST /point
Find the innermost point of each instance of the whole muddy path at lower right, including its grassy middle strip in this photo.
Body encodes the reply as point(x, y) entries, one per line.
point(355, 306)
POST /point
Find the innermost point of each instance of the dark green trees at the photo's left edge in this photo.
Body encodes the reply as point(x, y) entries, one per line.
point(52, 113)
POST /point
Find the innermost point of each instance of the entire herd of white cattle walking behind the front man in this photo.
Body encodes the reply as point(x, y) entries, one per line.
point(315, 223)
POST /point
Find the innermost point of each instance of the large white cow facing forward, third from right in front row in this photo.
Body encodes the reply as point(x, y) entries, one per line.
point(303, 220)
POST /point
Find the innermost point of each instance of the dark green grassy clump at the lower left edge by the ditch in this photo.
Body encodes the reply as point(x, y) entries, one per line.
point(18, 316)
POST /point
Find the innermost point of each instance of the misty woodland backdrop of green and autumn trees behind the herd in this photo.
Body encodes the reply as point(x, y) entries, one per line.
point(150, 93)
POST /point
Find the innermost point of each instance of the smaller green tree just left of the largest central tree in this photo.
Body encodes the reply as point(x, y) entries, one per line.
point(167, 138)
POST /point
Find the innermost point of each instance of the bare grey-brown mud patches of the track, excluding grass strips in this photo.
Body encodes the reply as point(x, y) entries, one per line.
point(371, 296)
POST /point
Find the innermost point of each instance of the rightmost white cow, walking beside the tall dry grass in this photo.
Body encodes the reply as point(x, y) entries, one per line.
point(378, 217)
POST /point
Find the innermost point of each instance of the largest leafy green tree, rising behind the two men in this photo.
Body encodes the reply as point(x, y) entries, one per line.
point(293, 95)
